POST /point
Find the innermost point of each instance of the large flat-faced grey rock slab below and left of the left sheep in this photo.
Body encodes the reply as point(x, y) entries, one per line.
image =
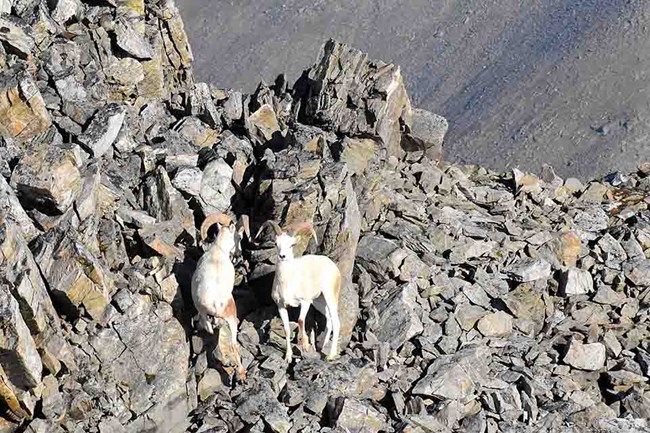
point(147, 350)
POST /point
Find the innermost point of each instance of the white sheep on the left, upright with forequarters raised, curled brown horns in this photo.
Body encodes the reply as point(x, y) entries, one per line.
point(214, 278)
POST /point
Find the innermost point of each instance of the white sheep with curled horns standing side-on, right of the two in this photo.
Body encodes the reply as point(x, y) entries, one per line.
point(299, 281)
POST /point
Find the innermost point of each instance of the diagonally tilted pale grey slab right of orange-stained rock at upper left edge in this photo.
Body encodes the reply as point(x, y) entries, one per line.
point(103, 130)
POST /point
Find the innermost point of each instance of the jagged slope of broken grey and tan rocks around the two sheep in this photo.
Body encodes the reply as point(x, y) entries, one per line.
point(473, 301)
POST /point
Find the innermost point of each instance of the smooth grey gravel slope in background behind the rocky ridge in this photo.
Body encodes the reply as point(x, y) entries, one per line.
point(522, 82)
